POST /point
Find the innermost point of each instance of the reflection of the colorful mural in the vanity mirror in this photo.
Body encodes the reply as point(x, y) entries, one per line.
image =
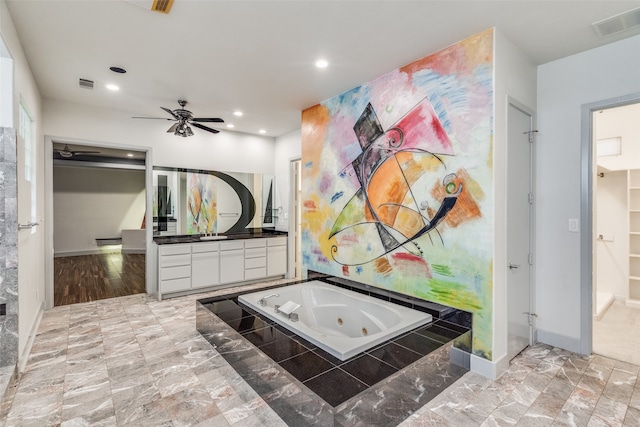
point(202, 209)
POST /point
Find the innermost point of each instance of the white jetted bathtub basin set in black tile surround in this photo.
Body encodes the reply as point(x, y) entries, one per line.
point(341, 322)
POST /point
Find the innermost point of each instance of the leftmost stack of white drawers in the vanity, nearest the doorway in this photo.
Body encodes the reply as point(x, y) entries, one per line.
point(174, 267)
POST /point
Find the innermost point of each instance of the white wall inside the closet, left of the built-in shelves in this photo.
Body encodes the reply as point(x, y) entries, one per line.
point(611, 220)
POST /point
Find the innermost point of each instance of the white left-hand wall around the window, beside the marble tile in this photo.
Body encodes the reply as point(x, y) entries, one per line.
point(30, 246)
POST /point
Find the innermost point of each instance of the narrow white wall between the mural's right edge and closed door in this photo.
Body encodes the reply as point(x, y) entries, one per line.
point(515, 77)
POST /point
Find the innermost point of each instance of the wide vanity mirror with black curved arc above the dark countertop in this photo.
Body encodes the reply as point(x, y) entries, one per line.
point(188, 201)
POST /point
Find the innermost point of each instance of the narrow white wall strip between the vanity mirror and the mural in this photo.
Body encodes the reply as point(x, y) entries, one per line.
point(288, 147)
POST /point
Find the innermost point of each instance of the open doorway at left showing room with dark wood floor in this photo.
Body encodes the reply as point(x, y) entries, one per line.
point(98, 208)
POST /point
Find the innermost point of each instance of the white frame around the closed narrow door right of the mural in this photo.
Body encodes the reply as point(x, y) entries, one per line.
point(511, 102)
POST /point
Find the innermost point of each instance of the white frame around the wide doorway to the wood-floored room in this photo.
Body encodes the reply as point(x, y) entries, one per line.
point(151, 286)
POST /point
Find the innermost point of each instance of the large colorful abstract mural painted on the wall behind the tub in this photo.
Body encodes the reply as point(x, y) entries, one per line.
point(397, 182)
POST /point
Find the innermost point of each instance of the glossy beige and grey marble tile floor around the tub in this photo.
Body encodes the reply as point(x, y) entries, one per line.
point(135, 361)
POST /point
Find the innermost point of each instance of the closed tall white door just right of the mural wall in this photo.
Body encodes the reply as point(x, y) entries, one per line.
point(520, 138)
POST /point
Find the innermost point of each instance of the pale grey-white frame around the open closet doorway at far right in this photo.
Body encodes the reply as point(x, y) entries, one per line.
point(587, 216)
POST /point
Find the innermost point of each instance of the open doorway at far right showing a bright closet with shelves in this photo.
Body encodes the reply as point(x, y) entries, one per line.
point(616, 231)
